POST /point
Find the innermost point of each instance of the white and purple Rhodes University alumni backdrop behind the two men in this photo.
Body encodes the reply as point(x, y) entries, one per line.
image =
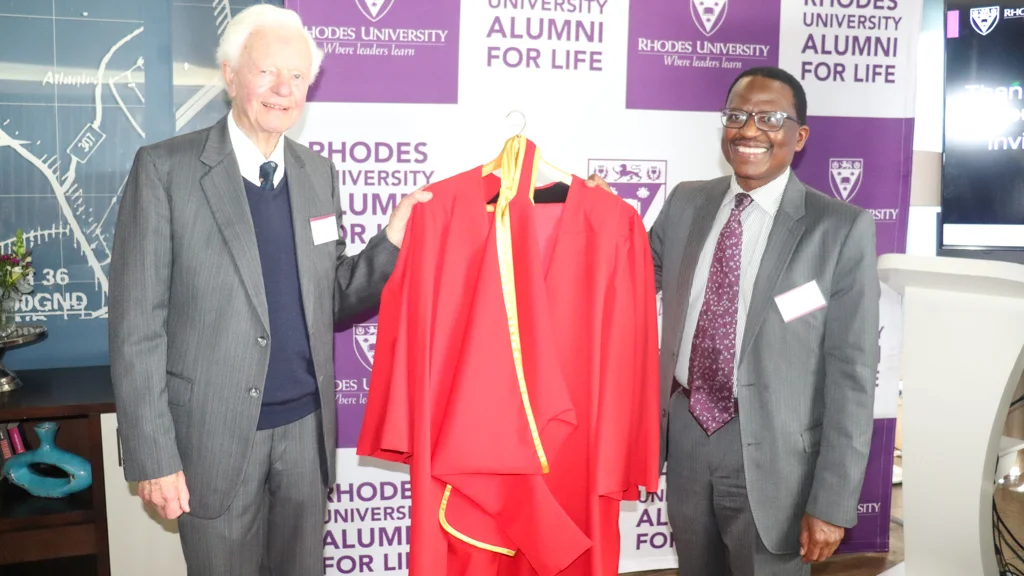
point(413, 93)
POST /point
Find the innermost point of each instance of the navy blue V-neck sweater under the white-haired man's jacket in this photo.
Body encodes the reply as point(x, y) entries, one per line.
point(290, 393)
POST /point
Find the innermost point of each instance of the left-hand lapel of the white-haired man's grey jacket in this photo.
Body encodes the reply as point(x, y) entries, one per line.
point(227, 195)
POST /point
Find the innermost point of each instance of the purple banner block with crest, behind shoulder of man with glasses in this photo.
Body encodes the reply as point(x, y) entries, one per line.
point(867, 162)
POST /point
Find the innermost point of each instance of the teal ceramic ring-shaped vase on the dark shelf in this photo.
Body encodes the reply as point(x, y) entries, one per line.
point(22, 470)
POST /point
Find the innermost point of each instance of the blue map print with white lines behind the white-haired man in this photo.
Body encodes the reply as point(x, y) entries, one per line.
point(74, 110)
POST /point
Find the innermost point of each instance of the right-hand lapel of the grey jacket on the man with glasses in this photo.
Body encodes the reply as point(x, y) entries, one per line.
point(786, 232)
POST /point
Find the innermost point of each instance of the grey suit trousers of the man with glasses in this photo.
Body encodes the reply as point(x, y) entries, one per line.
point(707, 503)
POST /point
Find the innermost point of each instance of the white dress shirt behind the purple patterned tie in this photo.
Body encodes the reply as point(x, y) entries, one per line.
point(757, 222)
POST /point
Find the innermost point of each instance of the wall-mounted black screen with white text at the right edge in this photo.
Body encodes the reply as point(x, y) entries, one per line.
point(984, 160)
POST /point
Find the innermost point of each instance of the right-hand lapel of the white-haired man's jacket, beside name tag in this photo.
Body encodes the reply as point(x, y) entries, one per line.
point(301, 189)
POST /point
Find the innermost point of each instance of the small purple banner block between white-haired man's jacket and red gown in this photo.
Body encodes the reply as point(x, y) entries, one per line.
point(354, 361)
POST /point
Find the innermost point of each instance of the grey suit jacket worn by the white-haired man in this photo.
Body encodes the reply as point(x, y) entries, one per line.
point(190, 338)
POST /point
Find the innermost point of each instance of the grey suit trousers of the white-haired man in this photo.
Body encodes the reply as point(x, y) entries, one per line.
point(275, 526)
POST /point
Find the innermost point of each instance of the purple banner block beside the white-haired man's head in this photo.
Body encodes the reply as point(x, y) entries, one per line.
point(385, 51)
